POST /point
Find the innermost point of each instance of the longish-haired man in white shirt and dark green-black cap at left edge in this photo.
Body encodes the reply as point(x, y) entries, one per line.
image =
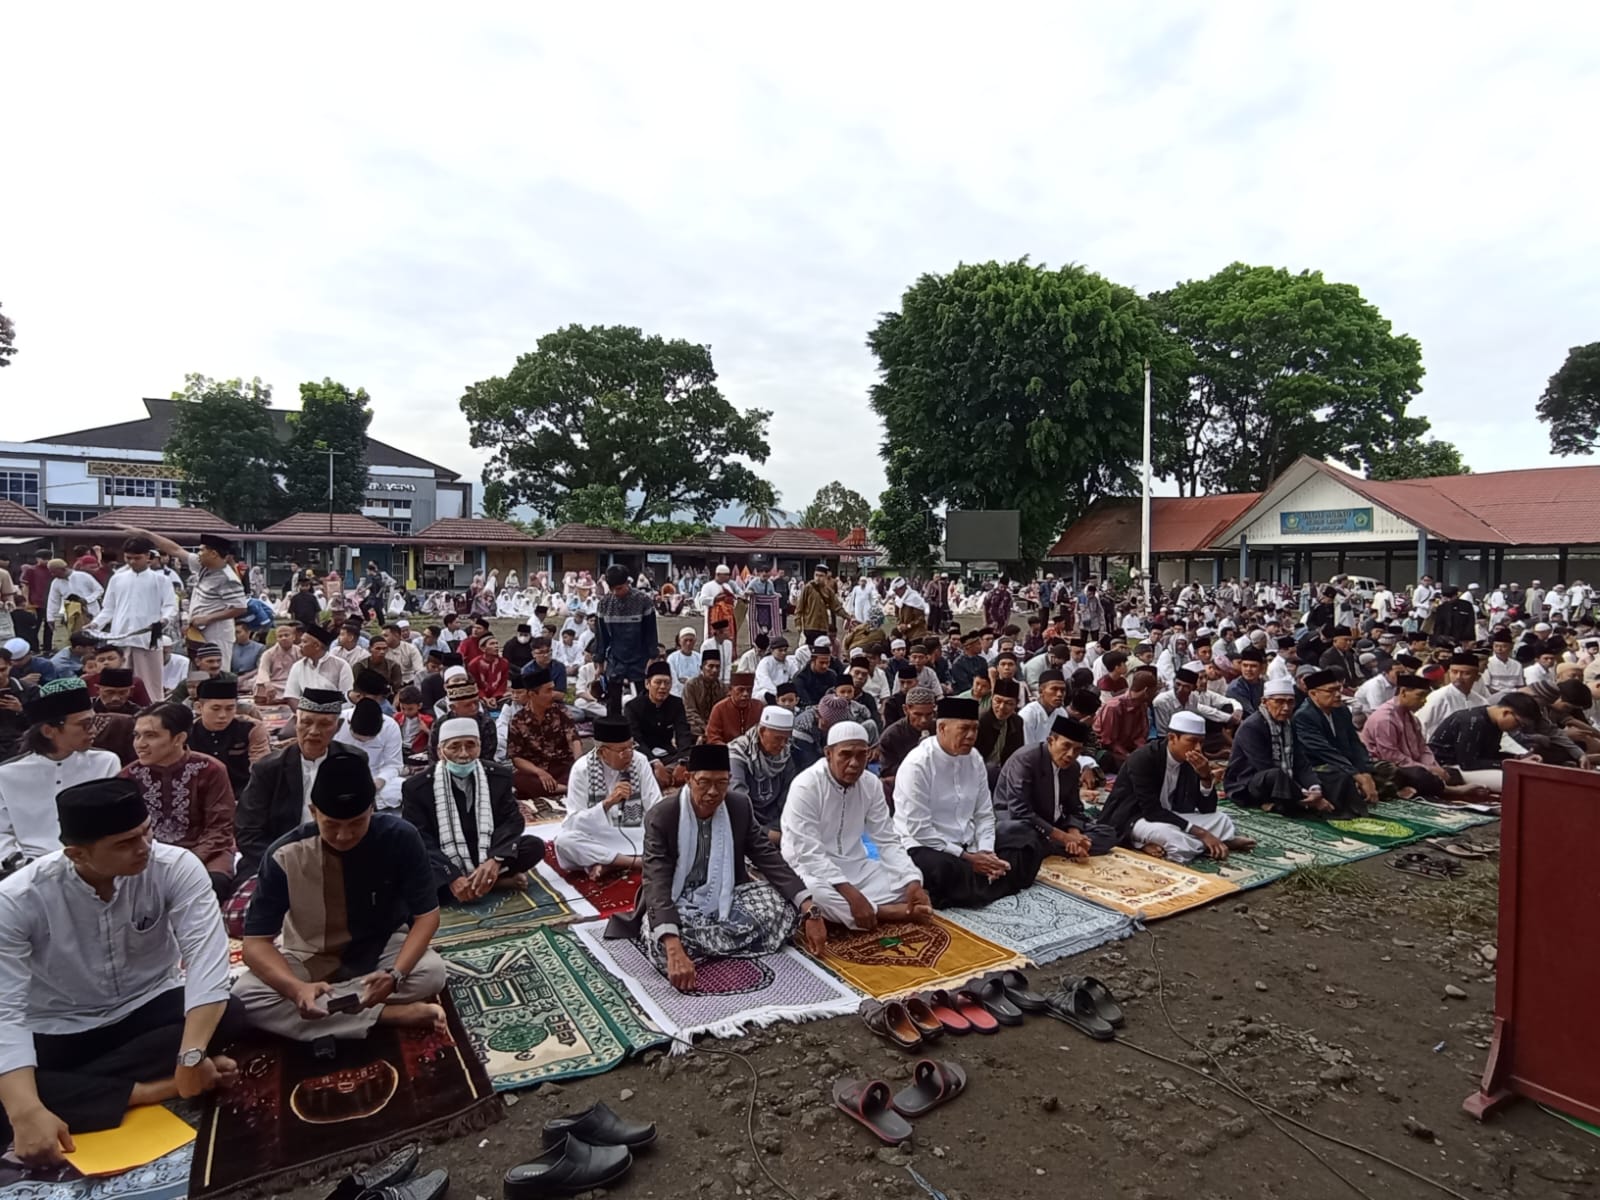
point(57, 754)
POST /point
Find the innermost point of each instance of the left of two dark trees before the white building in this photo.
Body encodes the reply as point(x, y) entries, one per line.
point(225, 446)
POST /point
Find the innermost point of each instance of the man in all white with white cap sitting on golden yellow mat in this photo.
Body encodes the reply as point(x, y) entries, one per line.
point(831, 806)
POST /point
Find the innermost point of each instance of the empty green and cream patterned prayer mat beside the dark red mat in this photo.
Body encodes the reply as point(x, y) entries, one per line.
point(538, 1009)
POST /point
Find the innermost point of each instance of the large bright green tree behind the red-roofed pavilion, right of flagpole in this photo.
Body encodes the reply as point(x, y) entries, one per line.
point(1282, 366)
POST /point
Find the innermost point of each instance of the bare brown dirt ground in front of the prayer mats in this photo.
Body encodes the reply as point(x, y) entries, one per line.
point(1326, 999)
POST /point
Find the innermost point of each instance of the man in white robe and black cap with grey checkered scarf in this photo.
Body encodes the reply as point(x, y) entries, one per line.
point(609, 793)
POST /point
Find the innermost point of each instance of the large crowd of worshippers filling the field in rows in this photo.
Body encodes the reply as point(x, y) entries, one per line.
point(170, 778)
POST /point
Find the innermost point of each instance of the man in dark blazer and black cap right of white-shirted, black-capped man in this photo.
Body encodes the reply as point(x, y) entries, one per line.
point(1042, 788)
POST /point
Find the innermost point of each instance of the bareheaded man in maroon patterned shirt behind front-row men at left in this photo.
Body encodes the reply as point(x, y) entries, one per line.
point(190, 796)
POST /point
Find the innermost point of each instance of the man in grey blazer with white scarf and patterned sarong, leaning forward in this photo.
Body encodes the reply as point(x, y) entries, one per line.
point(698, 900)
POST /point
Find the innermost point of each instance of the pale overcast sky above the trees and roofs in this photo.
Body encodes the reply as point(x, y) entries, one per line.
point(406, 198)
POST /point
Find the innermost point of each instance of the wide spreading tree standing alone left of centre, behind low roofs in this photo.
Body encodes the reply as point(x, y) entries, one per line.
point(614, 407)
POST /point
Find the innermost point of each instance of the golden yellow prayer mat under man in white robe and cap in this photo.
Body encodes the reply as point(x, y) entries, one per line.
point(906, 958)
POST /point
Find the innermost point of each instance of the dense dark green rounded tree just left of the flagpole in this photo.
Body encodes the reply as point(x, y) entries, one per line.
point(1014, 386)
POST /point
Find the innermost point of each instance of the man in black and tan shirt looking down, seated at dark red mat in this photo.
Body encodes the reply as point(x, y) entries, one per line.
point(351, 897)
